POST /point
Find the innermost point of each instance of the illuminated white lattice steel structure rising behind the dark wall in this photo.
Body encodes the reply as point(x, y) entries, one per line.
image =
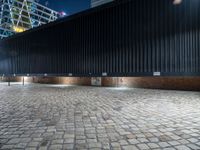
point(20, 15)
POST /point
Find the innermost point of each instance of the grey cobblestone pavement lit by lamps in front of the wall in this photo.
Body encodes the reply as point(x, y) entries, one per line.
point(57, 117)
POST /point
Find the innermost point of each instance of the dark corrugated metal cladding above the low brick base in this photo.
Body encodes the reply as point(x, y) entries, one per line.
point(124, 38)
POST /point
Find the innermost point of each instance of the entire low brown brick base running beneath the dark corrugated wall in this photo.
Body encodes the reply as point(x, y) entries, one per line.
point(171, 83)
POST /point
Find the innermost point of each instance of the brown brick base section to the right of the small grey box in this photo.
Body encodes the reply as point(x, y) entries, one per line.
point(171, 83)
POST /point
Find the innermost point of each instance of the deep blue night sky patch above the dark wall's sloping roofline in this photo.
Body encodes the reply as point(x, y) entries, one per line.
point(68, 6)
